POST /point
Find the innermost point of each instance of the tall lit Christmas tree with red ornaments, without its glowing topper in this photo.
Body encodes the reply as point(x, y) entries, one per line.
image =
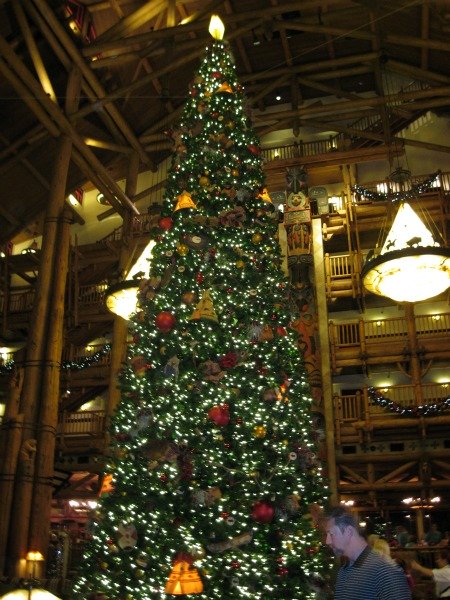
point(217, 485)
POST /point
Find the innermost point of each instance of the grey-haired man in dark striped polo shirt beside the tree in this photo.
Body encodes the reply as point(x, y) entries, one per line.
point(366, 574)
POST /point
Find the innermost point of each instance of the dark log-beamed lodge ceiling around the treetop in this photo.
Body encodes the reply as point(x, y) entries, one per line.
point(133, 60)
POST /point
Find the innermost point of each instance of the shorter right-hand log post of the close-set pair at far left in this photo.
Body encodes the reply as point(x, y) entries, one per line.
point(48, 415)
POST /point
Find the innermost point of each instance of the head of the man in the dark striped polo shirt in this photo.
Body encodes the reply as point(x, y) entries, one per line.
point(342, 533)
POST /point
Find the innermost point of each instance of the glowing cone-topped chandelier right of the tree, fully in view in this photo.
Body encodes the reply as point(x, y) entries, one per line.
point(411, 266)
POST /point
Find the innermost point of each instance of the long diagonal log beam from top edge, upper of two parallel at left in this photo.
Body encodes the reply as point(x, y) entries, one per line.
point(90, 77)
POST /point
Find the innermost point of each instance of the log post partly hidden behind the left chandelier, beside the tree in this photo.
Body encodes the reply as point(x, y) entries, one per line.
point(120, 326)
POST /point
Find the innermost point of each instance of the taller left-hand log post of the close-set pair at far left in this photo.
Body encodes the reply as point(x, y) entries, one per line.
point(35, 357)
